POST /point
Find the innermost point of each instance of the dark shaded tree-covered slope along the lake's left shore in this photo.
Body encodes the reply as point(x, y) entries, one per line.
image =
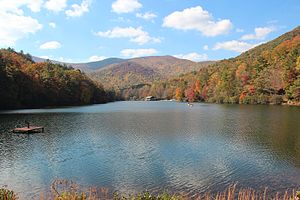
point(26, 84)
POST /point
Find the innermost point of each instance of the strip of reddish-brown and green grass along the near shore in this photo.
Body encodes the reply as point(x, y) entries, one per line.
point(68, 190)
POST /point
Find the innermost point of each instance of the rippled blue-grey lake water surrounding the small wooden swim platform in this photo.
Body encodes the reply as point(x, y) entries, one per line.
point(158, 146)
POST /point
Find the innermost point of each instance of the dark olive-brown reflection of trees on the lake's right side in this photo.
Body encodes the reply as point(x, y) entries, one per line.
point(272, 128)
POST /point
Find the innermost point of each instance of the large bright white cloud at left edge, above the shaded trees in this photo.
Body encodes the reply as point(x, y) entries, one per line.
point(16, 26)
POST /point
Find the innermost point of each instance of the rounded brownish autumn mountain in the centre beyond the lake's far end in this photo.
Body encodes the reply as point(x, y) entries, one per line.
point(145, 70)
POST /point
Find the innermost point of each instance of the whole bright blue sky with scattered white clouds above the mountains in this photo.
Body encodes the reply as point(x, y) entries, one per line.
point(90, 30)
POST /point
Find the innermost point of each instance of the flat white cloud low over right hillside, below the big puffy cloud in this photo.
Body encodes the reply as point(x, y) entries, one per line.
point(234, 45)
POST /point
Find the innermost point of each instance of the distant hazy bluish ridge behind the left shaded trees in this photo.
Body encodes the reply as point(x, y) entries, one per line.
point(85, 67)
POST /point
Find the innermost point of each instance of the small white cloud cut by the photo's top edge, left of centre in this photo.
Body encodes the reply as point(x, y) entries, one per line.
point(126, 6)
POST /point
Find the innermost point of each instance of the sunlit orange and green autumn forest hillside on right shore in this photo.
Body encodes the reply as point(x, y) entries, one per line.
point(269, 73)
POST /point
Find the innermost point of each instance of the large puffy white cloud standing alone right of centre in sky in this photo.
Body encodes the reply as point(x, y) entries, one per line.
point(196, 18)
